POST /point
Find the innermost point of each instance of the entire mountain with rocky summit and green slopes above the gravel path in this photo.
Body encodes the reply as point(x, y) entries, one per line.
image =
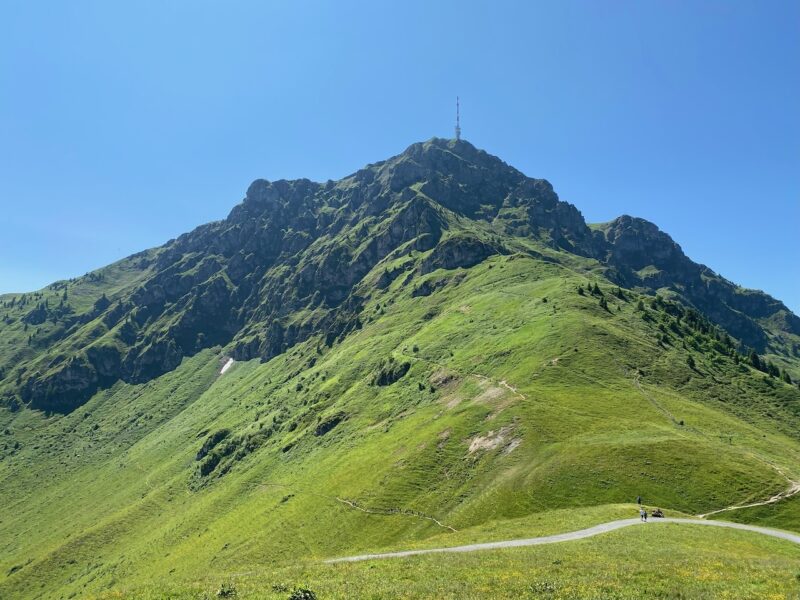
point(436, 339)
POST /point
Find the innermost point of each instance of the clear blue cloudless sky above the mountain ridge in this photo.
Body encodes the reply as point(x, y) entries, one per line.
point(124, 124)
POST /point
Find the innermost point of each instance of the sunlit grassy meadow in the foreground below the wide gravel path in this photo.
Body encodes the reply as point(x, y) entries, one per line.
point(653, 561)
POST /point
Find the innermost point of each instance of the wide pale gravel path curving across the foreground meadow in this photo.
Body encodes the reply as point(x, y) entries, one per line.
point(572, 535)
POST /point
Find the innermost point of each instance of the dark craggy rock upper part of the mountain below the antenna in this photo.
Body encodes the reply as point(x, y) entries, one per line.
point(294, 260)
